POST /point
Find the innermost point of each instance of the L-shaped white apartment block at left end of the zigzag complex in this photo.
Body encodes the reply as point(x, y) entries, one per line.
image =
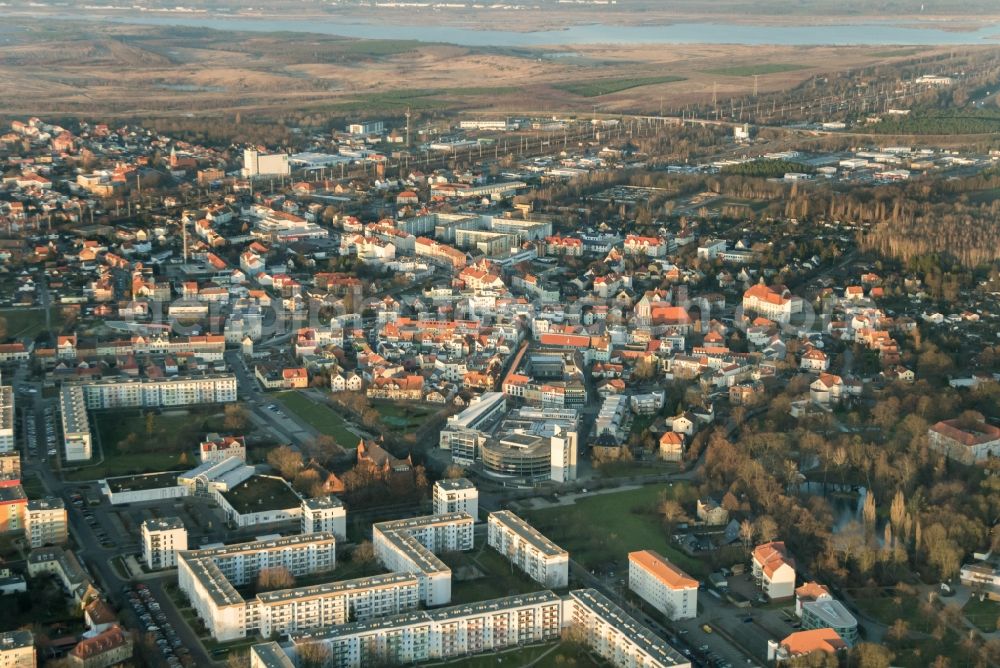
point(207, 576)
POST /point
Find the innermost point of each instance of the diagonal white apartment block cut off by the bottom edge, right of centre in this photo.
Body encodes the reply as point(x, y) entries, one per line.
point(615, 635)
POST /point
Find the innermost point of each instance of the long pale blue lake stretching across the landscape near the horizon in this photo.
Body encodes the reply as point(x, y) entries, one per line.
point(870, 34)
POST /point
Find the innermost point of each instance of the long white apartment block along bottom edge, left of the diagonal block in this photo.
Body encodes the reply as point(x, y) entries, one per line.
point(475, 628)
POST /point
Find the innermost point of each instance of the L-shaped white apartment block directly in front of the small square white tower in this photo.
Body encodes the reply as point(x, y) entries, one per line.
point(411, 546)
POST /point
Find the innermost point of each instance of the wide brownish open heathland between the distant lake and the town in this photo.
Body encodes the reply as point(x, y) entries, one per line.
point(108, 70)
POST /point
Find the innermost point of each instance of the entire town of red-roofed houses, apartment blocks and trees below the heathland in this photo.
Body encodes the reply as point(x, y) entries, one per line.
point(524, 390)
